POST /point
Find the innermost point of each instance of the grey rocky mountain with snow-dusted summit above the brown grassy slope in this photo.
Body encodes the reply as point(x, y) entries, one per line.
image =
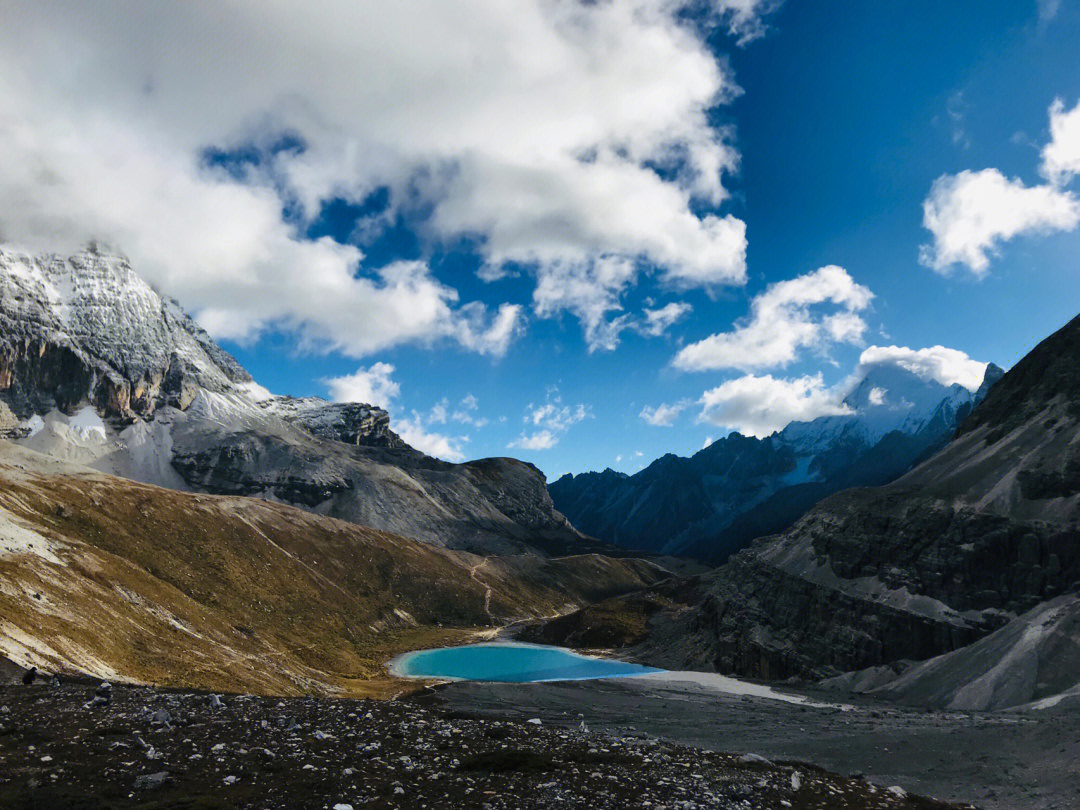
point(100, 370)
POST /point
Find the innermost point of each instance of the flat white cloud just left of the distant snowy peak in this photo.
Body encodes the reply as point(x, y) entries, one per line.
point(759, 407)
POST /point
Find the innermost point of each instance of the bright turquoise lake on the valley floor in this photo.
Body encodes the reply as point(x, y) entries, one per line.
point(511, 663)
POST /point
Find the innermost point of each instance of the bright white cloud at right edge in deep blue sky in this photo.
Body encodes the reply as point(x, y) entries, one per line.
point(971, 213)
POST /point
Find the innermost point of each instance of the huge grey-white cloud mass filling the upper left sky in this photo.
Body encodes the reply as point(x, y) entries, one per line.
point(570, 139)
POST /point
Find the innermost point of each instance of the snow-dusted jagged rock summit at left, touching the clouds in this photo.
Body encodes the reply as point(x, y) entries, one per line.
point(87, 329)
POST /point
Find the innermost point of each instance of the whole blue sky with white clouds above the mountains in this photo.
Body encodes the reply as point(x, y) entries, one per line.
point(584, 235)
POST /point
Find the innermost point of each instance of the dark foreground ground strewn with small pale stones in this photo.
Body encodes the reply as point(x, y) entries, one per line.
point(150, 749)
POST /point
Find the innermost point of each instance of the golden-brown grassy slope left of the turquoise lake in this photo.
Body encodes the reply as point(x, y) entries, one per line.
point(224, 593)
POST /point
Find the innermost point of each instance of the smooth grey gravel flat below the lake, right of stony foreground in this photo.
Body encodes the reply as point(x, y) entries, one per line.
point(1007, 761)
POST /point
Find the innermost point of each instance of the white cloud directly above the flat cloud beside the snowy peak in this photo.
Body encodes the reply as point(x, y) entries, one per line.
point(785, 321)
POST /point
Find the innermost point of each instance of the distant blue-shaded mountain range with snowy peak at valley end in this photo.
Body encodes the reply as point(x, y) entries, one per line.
point(714, 503)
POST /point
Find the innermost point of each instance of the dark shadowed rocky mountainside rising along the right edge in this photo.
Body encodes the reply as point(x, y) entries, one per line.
point(980, 542)
